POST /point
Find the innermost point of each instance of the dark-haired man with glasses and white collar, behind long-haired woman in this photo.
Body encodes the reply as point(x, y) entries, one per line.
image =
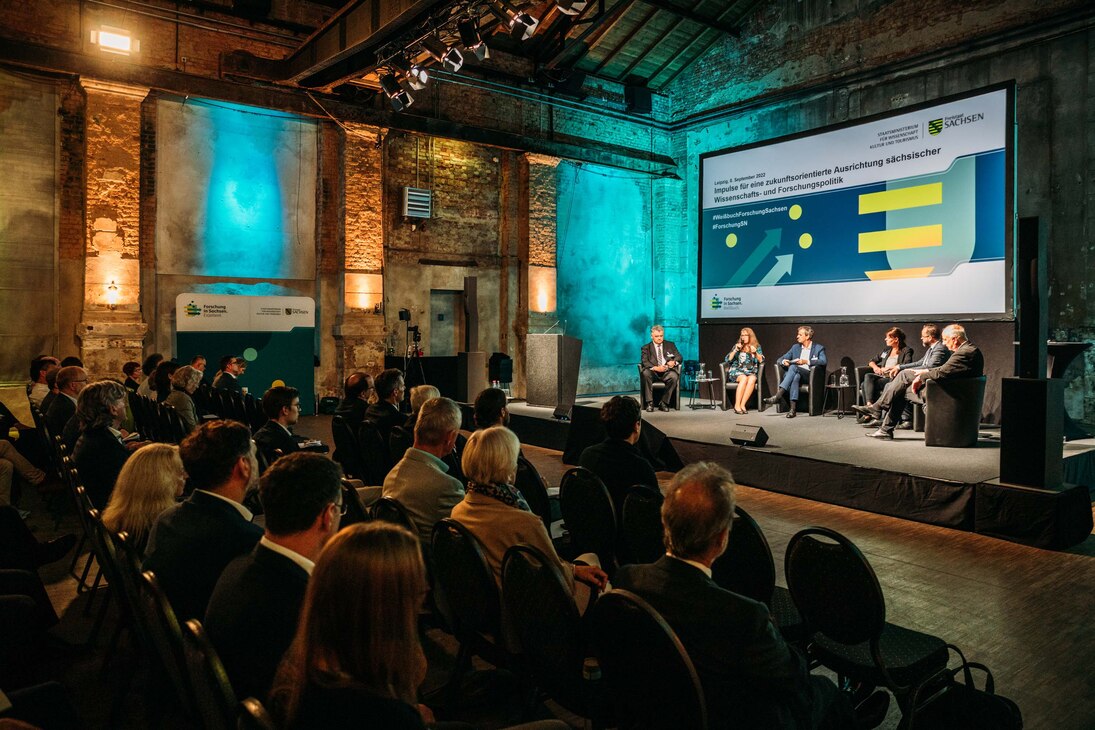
point(256, 607)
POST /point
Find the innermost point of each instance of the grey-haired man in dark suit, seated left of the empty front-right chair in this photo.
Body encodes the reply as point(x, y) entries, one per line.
point(751, 677)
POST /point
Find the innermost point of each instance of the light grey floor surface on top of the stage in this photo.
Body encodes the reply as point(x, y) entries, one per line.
point(843, 441)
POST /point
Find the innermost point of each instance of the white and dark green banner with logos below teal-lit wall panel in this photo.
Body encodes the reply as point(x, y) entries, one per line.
point(274, 335)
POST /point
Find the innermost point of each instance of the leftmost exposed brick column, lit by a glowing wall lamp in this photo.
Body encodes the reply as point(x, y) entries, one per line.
point(112, 330)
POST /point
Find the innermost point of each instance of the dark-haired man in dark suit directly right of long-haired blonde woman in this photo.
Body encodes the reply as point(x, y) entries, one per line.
point(192, 543)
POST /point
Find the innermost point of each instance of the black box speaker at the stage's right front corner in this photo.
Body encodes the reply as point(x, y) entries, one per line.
point(1032, 432)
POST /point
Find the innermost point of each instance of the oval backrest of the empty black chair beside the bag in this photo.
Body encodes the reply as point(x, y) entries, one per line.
point(835, 587)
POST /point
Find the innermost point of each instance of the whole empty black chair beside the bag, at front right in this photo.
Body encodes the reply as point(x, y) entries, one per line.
point(840, 599)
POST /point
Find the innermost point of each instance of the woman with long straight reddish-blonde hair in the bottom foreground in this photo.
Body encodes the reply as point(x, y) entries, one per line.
point(356, 659)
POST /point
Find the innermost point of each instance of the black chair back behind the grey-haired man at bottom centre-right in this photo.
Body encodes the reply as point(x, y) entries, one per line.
point(644, 664)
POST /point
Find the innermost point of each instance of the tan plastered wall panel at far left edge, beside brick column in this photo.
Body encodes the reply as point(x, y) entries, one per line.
point(28, 224)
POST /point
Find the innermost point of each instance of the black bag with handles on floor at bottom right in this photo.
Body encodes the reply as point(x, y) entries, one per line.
point(960, 705)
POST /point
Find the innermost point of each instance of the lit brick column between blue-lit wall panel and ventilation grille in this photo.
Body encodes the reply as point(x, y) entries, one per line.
point(361, 332)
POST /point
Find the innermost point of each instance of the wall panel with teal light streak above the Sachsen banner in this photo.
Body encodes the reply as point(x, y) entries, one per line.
point(236, 192)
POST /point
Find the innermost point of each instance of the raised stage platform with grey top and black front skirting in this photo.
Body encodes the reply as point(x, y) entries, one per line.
point(831, 460)
